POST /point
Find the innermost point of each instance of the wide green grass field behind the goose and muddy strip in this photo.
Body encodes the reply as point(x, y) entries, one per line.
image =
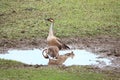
point(81, 18)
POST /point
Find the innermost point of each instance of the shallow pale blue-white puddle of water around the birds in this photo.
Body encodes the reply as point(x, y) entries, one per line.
point(82, 57)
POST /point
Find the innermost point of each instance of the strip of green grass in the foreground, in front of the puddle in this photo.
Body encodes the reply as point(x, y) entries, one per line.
point(16, 72)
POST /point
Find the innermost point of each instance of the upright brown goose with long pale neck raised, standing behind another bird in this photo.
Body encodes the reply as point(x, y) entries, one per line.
point(53, 40)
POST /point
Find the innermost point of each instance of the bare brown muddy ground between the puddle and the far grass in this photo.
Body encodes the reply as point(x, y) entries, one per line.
point(106, 46)
